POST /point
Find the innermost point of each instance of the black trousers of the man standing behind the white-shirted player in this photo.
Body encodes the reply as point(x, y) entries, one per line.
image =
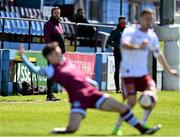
point(117, 59)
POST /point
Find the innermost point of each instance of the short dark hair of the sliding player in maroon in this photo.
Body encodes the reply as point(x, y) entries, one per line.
point(49, 48)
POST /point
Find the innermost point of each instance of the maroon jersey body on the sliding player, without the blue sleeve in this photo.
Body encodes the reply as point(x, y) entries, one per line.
point(73, 81)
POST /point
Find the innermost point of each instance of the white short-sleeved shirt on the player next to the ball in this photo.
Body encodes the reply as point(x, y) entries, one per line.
point(135, 62)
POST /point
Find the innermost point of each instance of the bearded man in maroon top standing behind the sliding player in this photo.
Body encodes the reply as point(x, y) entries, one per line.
point(53, 31)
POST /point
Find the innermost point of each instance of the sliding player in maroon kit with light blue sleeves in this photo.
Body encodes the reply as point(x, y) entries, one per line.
point(81, 93)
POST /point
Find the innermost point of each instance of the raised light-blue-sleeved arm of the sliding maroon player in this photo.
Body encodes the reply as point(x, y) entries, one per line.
point(47, 72)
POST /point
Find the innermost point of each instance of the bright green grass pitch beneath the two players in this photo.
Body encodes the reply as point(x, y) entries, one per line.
point(31, 115)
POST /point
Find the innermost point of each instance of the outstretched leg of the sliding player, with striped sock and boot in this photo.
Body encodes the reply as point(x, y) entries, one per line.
point(110, 104)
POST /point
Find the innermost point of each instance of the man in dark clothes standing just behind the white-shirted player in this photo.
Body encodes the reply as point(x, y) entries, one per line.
point(114, 41)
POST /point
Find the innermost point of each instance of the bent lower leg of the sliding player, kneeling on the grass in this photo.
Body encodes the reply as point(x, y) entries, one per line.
point(74, 124)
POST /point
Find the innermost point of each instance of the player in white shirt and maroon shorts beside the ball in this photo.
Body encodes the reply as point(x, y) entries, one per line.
point(136, 43)
